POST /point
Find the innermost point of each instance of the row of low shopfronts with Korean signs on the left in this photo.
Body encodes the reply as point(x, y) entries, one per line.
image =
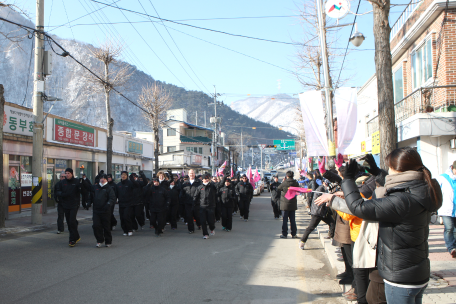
point(67, 144)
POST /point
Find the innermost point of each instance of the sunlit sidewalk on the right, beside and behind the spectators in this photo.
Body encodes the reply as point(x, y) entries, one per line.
point(442, 285)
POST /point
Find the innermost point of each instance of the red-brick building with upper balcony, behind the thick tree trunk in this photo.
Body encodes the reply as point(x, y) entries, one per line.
point(424, 99)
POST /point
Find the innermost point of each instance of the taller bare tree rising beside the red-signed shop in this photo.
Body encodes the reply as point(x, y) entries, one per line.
point(112, 73)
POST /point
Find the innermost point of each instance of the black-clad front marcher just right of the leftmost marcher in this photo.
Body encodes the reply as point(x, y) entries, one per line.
point(102, 198)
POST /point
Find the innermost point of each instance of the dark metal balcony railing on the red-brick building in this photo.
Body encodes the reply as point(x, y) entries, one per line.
point(422, 100)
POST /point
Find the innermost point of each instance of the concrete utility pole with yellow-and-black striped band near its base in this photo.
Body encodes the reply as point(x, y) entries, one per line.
point(37, 159)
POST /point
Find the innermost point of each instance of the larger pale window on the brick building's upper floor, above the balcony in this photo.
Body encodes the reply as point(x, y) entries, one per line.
point(422, 64)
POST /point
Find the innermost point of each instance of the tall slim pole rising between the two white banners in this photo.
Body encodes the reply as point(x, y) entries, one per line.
point(328, 99)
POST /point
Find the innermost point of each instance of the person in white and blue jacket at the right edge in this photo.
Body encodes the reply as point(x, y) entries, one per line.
point(447, 182)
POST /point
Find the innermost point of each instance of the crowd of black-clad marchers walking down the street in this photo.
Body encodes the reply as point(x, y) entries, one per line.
point(199, 201)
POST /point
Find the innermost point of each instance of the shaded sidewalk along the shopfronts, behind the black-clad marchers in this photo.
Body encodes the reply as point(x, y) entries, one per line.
point(22, 222)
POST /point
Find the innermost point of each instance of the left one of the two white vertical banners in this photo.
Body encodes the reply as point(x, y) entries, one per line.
point(314, 123)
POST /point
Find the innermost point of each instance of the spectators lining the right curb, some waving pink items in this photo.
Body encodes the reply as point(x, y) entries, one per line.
point(378, 219)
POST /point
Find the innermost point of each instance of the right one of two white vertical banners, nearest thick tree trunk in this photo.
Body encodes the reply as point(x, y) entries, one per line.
point(348, 139)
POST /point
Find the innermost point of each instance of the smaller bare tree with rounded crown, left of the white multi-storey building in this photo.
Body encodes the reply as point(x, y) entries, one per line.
point(156, 101)
